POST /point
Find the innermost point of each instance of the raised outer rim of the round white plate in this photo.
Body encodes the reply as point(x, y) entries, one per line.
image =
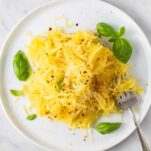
point(3, 50)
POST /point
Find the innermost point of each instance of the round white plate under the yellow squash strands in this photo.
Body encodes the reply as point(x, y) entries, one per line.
point(56, 136)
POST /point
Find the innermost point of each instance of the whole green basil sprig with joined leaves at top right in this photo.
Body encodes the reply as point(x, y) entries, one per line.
point(122, 48)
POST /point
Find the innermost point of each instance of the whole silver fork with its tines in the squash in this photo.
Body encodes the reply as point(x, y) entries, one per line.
point(126, 101)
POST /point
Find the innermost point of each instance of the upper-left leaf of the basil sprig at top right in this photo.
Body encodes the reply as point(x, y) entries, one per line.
point(105, 30)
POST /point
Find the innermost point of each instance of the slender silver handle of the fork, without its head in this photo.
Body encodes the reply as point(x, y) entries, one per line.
point(145, 145)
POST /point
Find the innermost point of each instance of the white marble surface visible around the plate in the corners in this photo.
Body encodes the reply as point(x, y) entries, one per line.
point(11, 11)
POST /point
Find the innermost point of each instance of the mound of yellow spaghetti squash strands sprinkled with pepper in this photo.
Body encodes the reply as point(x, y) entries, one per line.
point(91, 76)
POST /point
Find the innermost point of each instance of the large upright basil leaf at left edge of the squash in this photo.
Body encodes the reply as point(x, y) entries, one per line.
point(21, 66)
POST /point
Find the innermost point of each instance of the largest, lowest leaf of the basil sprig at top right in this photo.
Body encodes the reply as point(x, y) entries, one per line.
point(122, 50)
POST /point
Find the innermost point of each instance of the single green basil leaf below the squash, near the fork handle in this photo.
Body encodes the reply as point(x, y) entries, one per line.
point(105, 127)
